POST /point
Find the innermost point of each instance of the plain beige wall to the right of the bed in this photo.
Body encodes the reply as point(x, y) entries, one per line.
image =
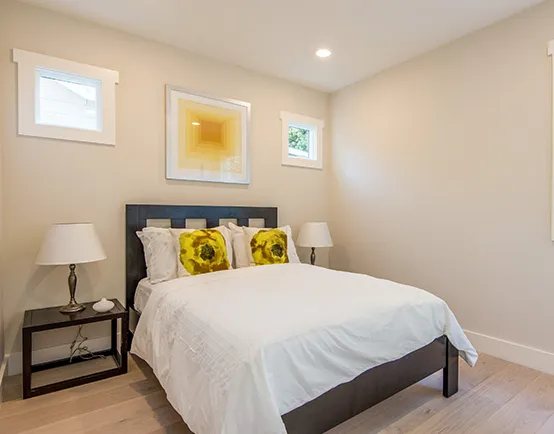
point(441, 177)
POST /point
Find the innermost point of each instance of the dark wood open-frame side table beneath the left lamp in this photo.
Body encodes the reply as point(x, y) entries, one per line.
point(113, 363)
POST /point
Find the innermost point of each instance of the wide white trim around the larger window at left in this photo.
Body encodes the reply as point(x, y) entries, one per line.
point(28, 63)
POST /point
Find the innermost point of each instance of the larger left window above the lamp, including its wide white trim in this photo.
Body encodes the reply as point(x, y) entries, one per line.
point(65, 100)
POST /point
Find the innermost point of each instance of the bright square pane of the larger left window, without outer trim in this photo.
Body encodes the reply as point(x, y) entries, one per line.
point(68, 100)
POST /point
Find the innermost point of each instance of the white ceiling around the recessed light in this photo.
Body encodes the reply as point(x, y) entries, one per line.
point(279, 37)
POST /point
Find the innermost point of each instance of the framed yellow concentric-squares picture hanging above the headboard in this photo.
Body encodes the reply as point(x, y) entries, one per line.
point(207, 139)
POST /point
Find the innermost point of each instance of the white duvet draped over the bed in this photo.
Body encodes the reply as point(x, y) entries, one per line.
point(236, 349)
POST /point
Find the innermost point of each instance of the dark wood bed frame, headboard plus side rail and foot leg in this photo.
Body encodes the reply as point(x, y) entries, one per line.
point(336, 405)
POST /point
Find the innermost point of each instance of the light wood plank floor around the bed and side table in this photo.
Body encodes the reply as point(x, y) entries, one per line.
point(495, 397)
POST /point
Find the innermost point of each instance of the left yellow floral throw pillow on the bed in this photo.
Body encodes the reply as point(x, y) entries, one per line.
point(203, 251)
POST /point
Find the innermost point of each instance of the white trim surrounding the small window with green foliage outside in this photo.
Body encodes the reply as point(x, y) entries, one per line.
point(308, 123)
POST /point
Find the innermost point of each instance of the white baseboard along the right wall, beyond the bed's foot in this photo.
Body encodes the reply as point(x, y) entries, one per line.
point(512, 352)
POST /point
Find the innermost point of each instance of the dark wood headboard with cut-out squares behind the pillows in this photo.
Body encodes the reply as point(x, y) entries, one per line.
point(137, 217)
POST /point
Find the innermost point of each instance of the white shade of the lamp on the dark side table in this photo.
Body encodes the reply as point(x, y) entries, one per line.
point(72, 243)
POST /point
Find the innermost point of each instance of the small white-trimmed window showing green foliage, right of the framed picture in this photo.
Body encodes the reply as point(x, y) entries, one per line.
point(302, 141)
